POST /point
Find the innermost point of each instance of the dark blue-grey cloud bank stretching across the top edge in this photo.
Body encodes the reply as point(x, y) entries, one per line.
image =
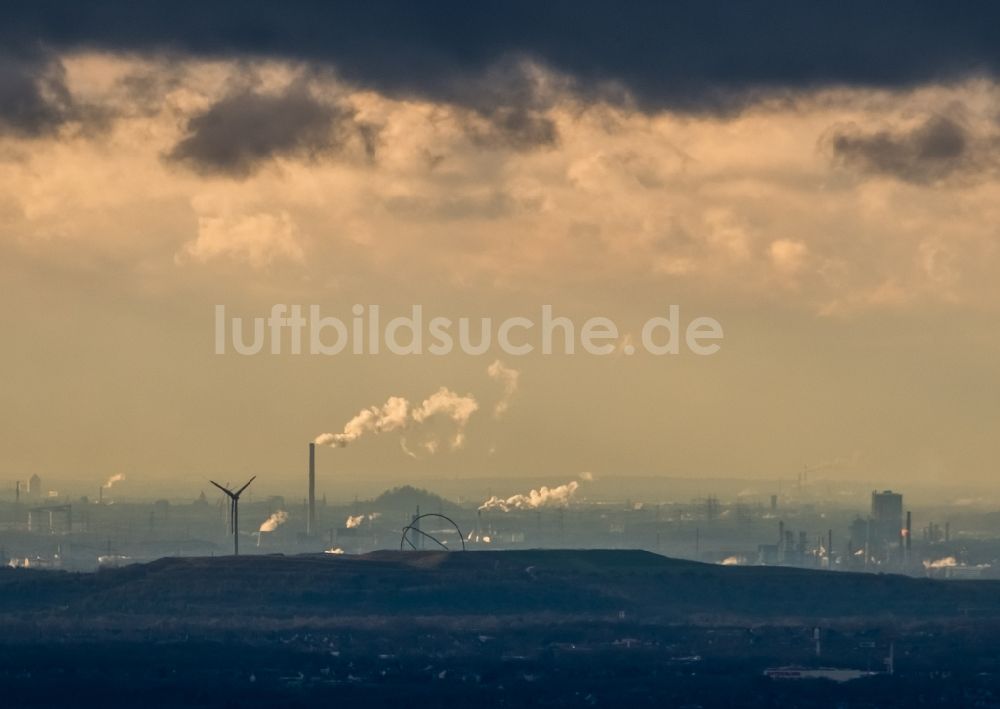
point(686, 55)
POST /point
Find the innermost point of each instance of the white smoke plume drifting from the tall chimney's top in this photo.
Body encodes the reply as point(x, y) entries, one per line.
point(397, 414)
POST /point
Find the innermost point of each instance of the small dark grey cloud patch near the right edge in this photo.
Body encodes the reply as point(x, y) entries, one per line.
point(934, 150)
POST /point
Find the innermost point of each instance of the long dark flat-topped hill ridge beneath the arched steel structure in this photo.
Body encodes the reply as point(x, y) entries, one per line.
point(559, 582)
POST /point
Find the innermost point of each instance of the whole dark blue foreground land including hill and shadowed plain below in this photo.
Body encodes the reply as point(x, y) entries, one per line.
point(513, 628)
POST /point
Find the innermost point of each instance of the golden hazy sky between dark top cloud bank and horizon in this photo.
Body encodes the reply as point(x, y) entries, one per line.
point(846, 238)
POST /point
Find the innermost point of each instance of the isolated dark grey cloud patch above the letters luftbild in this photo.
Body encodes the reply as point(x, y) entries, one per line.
point(244, 129)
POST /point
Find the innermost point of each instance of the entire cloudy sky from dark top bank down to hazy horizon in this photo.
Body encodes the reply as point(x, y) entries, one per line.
point(820, 179)
